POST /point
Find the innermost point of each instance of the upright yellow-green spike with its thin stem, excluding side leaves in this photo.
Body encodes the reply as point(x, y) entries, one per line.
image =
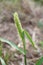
point(21, 33)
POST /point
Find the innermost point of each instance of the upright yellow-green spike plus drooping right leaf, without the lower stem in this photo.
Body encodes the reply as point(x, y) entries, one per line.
point(20, 29)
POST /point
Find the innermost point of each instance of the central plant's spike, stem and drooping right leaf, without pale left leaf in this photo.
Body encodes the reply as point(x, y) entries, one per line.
point(22, 34)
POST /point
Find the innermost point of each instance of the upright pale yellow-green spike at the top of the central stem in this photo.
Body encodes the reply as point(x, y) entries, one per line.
point(18, 24)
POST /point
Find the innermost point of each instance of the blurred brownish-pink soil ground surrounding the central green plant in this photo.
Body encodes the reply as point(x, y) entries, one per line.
point(29, 18)
